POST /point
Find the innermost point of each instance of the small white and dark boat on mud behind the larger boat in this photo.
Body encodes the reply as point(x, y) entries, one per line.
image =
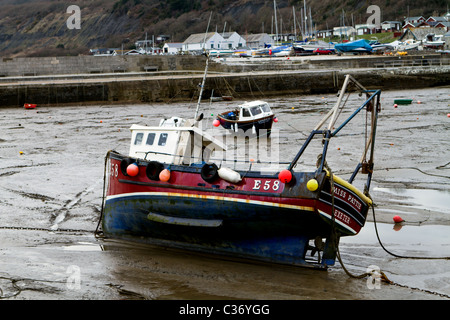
point(255, 115)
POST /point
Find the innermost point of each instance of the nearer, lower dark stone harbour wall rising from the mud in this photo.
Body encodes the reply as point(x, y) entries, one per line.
point(171, 82)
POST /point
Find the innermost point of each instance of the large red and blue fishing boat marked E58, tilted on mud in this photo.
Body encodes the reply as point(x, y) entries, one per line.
point(172, 190)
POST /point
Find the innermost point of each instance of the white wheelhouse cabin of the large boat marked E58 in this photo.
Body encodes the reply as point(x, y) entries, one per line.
point(173, 144)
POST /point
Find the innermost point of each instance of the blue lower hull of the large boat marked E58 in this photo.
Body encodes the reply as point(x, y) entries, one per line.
point(259, 236)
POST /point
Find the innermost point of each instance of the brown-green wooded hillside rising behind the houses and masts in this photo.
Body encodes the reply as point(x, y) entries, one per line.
point(38, 27)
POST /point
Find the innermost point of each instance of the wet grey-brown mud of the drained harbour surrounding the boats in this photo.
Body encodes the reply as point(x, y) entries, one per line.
point(52, 166)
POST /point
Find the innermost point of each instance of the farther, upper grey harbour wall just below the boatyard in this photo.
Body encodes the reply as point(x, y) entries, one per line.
point(92, 65)
